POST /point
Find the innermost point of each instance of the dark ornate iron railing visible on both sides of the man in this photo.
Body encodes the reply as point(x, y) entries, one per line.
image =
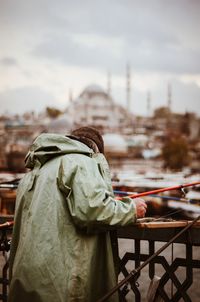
point(138, 235)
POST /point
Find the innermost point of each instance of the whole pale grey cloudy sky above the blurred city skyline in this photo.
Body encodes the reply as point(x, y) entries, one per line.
point(49, 48)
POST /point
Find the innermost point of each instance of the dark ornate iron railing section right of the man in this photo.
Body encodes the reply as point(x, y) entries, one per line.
point(177, 290)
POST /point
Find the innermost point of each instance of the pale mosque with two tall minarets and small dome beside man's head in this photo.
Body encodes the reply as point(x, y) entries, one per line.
point(96, 107)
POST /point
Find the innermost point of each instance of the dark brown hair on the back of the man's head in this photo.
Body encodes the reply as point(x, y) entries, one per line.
point(85, 134)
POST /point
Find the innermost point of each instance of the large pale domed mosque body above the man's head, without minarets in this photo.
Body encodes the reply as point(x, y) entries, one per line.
point(96, 108)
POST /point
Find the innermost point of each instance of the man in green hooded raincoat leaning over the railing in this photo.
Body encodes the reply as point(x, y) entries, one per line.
point(61, 247)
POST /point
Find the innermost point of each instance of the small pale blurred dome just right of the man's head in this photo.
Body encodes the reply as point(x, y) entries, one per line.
point(114, 143)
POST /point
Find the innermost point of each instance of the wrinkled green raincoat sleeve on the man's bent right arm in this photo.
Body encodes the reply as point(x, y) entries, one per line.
point(89, 200)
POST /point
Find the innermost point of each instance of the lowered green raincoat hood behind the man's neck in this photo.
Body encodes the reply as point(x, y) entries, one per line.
point(47, 146)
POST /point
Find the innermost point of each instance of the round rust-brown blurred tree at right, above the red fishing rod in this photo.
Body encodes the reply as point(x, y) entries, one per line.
point(175, 153)
